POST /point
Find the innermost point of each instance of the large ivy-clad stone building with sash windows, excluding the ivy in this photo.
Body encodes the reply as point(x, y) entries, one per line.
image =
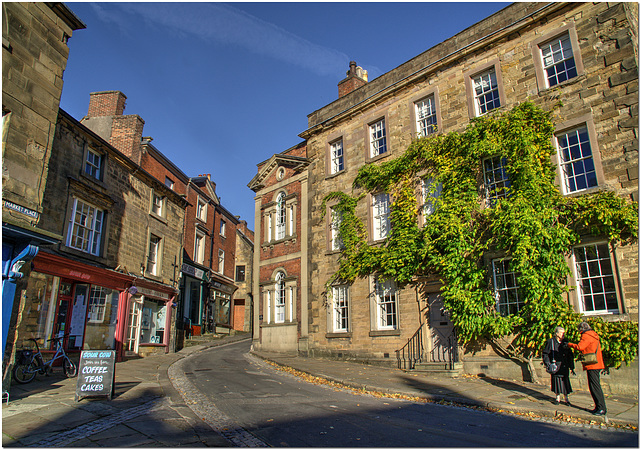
point(584, 54)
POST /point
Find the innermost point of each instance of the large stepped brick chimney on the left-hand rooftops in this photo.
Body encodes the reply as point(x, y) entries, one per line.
point(105, 118)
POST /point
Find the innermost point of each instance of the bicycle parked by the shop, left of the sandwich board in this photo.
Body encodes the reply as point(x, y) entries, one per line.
point(29, 363)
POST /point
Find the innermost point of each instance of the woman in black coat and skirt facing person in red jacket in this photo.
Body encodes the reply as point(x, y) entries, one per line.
point(556, 349)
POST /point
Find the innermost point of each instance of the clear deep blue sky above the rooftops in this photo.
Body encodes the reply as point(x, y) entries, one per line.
point(223, 86)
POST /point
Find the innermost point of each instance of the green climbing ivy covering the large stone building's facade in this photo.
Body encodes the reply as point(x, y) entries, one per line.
point(534, 225)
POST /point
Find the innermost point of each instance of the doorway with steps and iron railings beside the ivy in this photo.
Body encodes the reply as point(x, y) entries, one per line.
point(443, 338)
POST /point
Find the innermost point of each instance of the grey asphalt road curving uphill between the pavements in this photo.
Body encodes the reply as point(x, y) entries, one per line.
point(253, 403)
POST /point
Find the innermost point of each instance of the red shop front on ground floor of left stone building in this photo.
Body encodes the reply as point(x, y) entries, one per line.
point(97, 308)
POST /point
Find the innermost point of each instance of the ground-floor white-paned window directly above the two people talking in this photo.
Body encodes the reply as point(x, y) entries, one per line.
point(591, 282)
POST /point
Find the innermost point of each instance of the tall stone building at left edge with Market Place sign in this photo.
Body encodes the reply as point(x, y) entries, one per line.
point(34, 58)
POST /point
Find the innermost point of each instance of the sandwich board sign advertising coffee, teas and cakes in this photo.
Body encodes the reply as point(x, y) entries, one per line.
point(96, 374)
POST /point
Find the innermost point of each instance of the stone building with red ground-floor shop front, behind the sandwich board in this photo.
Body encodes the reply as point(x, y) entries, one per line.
point(111, 282)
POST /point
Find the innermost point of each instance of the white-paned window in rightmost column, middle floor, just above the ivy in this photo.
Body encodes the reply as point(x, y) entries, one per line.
point(576, 160)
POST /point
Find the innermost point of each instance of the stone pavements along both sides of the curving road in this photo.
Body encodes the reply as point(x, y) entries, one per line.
point(152, 405)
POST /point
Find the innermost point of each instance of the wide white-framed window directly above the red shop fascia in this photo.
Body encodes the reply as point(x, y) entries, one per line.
point(86, 227)
